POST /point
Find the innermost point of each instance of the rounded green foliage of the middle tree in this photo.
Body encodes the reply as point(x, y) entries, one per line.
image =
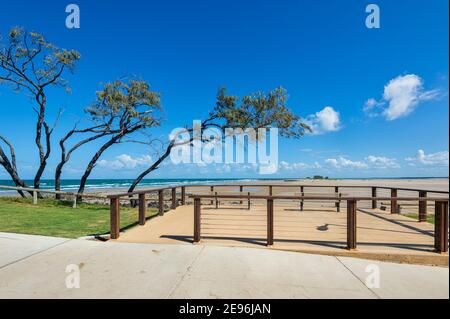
point(127, 103)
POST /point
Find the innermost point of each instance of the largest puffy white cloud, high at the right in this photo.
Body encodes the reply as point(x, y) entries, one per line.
point(401, 96)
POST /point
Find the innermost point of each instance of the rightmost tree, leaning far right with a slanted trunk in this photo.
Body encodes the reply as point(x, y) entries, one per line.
point(258, 110)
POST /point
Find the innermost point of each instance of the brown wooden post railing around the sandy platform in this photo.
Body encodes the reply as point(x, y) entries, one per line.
point(441, 204)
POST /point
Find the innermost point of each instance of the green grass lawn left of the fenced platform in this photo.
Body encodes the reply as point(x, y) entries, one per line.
point(57, 218)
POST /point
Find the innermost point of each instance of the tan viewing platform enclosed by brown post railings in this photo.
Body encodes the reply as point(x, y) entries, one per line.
point(328, 219)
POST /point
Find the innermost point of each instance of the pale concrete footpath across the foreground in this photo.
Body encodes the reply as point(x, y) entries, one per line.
point(35, 267)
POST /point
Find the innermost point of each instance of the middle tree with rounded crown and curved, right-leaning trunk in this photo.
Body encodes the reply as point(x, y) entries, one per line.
point(121, 109)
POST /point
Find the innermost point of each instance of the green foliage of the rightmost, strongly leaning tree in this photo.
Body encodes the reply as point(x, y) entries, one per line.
point(259, 110)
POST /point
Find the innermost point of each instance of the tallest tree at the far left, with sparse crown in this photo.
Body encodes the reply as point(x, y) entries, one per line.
point(31, 64)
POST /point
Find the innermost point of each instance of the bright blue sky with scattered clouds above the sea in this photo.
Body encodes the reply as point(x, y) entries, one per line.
point(377, 97)
